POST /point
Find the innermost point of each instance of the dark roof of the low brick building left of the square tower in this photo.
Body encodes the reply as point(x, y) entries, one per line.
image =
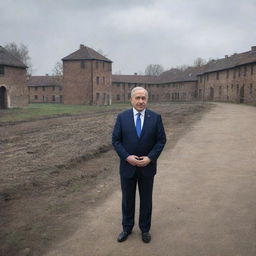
point(45, 81)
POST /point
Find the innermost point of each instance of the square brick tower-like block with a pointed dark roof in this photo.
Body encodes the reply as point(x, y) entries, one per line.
point(87, 77)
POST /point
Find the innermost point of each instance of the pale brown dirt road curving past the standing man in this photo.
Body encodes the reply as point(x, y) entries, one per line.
point(204, 196)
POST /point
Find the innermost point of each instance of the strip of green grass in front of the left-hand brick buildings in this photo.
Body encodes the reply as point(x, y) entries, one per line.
point(39, 111)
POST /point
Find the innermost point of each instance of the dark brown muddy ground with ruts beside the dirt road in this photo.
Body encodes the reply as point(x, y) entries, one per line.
point(53, 170)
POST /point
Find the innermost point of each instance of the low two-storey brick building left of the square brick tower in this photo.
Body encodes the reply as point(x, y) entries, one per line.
point(45, 89)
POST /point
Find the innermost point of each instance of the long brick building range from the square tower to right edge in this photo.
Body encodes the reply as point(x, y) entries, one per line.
point(230, 79)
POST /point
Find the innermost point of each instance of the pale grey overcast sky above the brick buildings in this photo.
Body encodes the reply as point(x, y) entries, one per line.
point(132, 33)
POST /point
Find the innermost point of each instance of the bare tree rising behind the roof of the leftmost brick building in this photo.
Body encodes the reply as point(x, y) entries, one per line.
point(21, 52)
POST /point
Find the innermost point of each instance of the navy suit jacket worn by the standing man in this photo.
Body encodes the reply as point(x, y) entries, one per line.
point(126, 141)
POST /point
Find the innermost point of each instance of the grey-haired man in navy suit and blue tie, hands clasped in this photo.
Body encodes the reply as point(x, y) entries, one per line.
point(138, 138)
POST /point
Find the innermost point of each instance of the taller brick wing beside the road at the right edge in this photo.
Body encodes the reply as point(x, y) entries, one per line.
point(230, 79)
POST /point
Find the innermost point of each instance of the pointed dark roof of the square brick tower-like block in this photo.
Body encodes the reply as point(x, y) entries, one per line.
point(85, 53)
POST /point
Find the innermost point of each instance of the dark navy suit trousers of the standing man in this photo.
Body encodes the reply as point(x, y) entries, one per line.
point(145, 185)
